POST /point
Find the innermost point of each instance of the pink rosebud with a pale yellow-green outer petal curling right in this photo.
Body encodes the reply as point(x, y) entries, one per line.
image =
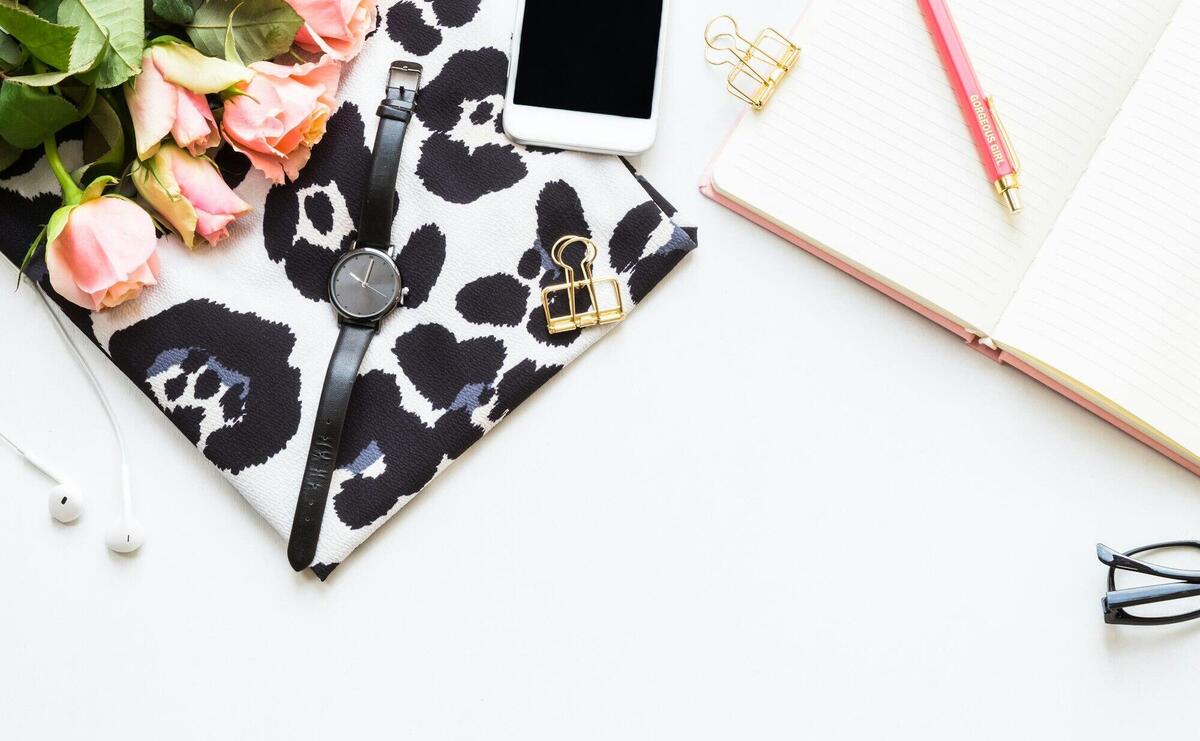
point(169, 97)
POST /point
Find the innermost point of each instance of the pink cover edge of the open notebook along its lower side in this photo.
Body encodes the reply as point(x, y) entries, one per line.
point(973, 341)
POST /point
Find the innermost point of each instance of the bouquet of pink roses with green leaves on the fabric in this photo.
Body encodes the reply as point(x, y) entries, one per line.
point(155, 87)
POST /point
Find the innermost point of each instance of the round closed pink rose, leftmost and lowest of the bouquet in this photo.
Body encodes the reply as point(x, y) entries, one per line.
point(101, 252)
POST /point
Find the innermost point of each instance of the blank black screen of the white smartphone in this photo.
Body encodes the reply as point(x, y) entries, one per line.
point(590, 56)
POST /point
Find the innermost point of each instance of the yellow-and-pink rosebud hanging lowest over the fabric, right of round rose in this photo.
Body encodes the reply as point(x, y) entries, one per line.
point(189, 194)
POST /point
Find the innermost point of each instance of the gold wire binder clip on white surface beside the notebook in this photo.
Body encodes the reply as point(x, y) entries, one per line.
point(759, 67)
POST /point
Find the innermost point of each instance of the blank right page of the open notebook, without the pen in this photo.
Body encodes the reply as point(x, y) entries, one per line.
point(1113, 303)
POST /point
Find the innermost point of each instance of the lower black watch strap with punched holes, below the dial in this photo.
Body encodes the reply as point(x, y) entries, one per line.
point(327, 441)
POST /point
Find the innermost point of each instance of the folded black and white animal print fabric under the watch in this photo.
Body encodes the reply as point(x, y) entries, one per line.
point(235, 341)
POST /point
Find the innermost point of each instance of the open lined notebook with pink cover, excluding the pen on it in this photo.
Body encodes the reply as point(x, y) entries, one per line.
point(863, 159)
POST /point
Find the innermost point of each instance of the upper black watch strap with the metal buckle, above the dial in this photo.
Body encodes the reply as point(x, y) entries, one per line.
point(395, 112)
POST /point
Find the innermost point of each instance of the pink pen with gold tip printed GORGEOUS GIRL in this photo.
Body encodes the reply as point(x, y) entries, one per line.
point(1000, 161)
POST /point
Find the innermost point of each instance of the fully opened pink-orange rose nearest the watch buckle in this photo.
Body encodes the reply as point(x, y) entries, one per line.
point(280, 115)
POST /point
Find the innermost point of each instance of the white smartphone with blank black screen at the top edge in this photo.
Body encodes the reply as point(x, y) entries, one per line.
point(587, 75)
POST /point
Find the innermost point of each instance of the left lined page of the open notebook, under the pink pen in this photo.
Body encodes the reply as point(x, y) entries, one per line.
point(863, 152)
